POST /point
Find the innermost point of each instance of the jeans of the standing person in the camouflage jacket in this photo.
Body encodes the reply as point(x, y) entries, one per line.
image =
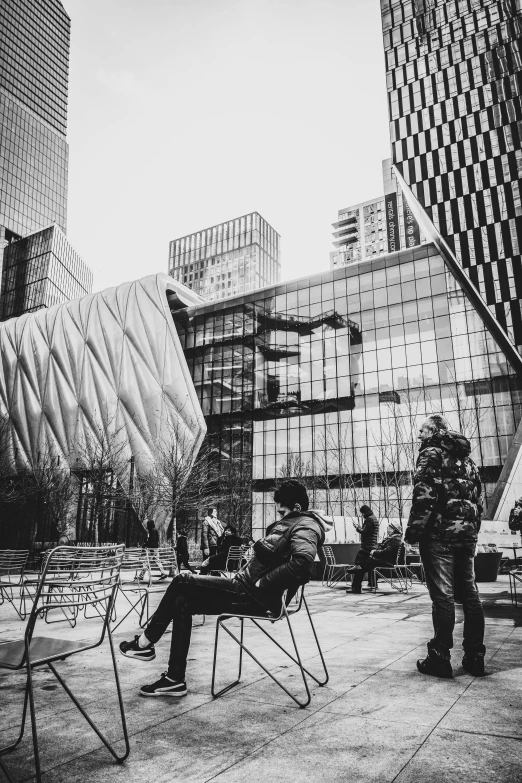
point(449, 575)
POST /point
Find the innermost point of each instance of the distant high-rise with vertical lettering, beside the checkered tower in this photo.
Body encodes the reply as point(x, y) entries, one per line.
point(373, 228)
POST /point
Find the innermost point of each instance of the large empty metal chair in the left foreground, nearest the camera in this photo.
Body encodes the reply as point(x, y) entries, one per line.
point(92, 583)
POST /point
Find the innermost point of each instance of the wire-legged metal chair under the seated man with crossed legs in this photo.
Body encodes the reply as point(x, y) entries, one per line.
point(284, 615)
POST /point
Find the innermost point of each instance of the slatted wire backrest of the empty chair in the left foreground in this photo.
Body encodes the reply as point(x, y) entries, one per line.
point(77, 577)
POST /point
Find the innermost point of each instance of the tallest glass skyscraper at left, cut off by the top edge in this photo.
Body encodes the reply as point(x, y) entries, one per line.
point(34, 64)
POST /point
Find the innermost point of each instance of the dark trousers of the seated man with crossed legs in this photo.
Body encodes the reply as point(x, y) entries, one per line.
point(190, 594)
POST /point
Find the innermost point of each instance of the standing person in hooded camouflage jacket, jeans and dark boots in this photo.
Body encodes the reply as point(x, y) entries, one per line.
point(445, 521)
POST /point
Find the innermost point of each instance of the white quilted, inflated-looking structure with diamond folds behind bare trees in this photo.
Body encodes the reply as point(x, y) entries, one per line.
point(108, 363)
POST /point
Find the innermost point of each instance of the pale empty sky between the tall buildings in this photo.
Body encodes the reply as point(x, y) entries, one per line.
point(186, 113)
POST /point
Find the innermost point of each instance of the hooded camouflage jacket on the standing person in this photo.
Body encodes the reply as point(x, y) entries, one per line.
point(446, 504)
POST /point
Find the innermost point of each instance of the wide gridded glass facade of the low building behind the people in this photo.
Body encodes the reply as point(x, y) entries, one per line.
point(328, 378)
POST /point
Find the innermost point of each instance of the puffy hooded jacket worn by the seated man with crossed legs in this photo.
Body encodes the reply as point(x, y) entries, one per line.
point(284, 558)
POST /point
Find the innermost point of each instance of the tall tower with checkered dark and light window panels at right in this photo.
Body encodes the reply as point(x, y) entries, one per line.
point(454, 79)
